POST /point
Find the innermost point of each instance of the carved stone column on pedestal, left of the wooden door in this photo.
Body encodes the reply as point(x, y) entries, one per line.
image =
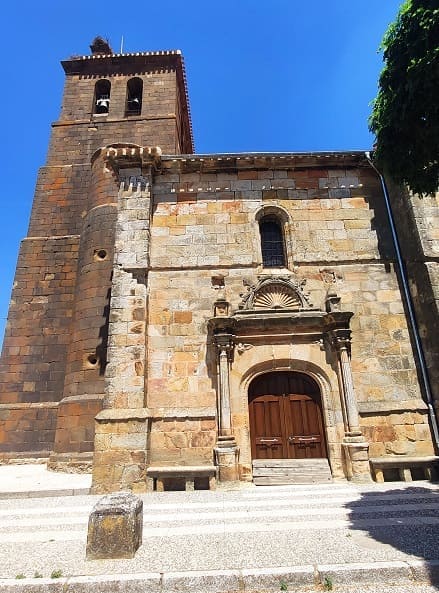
point(226, 449)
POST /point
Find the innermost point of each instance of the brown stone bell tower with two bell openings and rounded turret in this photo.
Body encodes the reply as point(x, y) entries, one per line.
point(54, 354)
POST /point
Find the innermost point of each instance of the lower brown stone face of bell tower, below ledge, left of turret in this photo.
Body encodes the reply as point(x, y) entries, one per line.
point(32, 366)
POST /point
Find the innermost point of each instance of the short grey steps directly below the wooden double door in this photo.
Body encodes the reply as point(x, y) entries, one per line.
point(272, 472)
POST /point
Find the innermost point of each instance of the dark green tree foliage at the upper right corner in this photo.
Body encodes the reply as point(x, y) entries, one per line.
point(405, 116)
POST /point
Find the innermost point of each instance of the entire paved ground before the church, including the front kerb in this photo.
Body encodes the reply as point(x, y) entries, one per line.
point(251, 539)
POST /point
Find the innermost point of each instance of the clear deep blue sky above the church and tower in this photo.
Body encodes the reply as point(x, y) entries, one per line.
point(283, 75)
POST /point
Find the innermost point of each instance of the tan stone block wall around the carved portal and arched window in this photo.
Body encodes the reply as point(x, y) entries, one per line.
point(205, 226)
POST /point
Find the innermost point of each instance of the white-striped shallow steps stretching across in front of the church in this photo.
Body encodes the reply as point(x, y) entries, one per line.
point(245, 513)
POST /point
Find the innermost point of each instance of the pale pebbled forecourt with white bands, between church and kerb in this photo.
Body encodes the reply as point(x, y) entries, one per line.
point(223, 530)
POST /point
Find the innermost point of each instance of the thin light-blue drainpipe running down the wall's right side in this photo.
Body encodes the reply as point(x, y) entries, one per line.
point(410, 308)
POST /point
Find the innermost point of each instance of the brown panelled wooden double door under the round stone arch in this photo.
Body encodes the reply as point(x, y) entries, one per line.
point(286, 417)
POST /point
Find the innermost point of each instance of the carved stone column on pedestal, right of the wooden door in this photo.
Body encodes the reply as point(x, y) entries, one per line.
point(355, 445)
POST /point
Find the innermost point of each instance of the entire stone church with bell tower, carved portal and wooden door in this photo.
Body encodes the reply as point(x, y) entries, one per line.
point(179, 318)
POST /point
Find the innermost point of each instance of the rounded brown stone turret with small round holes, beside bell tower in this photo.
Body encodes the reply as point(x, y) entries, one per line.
point(87, 352)
